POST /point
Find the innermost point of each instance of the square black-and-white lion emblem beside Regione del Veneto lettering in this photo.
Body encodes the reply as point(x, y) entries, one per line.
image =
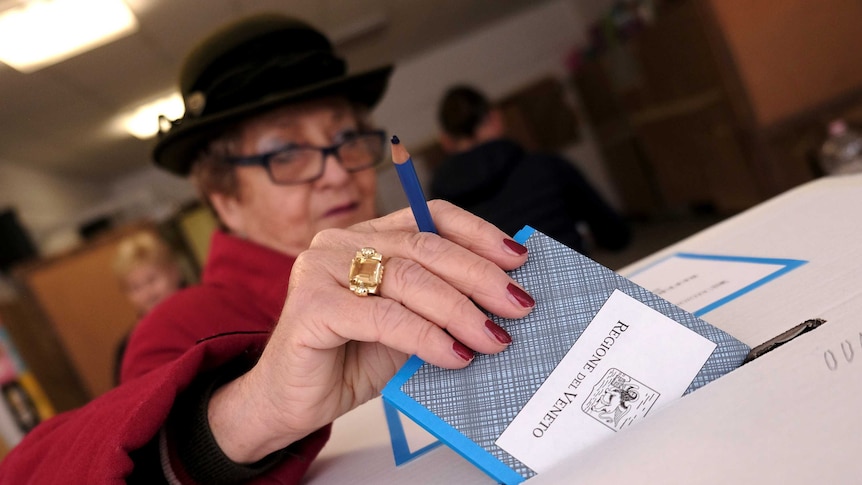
point(617, 400)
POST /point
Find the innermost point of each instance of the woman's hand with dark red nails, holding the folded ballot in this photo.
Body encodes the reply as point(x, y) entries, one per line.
point(333, 350)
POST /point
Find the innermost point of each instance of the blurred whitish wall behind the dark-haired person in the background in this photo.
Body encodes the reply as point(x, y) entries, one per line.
point(499, 60)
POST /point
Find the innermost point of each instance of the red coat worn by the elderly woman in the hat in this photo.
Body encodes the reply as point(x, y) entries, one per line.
point(203, 327)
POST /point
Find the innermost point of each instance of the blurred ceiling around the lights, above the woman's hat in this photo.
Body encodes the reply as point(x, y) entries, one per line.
point(59, 118)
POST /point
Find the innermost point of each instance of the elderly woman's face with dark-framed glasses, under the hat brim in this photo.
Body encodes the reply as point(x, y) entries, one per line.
point(286, 217)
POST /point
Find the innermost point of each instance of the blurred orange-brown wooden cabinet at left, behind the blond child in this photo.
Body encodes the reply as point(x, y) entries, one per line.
point(71, 312)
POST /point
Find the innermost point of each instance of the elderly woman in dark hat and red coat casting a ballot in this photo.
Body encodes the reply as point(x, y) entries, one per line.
point(238, 378)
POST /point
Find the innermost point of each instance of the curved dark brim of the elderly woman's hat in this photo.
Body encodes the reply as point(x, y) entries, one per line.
point(176, 150)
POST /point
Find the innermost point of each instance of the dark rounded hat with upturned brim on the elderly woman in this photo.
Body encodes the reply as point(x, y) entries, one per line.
point(250, 66)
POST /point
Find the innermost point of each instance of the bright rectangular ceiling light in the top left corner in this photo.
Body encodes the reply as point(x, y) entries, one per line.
point(38, 33)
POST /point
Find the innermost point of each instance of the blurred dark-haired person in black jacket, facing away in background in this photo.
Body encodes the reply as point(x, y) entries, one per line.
point(493, 177)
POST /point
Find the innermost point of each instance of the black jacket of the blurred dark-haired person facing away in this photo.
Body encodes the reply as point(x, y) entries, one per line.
point(502, 183)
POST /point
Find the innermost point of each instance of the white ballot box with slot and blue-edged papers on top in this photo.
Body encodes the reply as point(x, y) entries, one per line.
point(789, 416)
